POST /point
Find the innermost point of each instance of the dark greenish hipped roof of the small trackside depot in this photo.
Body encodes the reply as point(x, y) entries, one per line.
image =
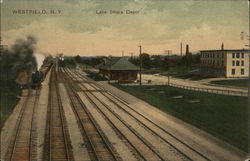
point(115, 63)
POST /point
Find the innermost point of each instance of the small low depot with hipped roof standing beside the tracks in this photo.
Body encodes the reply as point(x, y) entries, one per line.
point(119, 69)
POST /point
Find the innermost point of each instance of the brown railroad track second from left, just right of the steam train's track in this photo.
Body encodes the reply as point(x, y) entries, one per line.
point(57, 146)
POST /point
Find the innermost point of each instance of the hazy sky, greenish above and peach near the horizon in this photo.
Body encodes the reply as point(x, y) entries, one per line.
point(156, 25)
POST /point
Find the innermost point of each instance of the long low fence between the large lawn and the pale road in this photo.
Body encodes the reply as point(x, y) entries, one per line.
point(208, 90)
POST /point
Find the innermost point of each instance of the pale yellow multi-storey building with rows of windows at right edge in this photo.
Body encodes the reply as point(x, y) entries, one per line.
point(233, 63)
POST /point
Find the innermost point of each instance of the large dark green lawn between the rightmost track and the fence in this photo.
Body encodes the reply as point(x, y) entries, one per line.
point(225, 117)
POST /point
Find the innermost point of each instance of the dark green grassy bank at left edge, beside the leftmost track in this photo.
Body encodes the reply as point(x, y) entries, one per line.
point(9, 98)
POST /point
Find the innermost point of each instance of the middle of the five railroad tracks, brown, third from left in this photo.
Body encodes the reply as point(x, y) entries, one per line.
point(98, 146)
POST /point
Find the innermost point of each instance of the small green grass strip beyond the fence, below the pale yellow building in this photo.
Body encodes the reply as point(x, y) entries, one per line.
point(234, 82)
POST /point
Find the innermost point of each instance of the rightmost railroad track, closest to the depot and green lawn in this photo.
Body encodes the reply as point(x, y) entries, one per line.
point(184, 149)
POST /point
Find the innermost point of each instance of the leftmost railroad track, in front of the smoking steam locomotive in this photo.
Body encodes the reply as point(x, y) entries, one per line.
point(22, 145)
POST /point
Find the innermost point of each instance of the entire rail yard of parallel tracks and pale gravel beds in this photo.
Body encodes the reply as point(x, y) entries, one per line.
point(71, 117)
